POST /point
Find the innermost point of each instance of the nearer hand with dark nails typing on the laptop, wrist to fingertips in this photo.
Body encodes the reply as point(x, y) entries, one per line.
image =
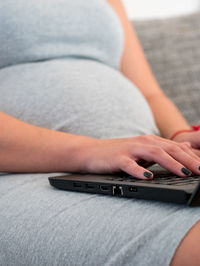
point(129, 154)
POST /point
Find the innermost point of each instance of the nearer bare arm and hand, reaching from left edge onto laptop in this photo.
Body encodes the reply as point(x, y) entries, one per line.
point(28, 148)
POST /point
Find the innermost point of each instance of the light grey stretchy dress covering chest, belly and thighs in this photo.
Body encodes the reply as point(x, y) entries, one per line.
point(86, 95)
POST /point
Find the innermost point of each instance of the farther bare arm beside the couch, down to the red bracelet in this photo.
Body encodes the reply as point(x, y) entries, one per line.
point(135, 67)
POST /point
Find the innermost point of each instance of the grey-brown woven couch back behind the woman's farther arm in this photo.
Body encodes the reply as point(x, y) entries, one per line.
point(172, 47)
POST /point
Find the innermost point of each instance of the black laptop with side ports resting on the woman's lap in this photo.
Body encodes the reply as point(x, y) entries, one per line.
point(165, 186)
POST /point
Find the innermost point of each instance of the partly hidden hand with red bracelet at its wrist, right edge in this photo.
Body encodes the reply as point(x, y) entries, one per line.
point(193, 138)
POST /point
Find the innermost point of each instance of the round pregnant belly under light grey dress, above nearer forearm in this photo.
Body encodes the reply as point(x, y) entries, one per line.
point(77, 96)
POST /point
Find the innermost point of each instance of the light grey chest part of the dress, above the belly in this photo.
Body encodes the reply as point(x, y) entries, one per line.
point(37, 30)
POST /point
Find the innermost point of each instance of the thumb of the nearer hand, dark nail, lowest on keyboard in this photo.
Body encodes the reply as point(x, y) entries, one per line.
point(132, 168)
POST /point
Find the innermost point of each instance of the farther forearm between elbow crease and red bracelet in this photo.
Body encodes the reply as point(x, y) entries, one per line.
point(167, 116)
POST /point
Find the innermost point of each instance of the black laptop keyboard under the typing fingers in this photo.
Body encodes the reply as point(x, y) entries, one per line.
point(161, 177)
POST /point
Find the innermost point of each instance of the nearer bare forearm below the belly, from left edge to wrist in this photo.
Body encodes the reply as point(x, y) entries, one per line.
point(28, 148)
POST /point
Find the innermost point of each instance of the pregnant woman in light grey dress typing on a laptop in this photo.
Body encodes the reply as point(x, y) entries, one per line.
point(77, 95)
